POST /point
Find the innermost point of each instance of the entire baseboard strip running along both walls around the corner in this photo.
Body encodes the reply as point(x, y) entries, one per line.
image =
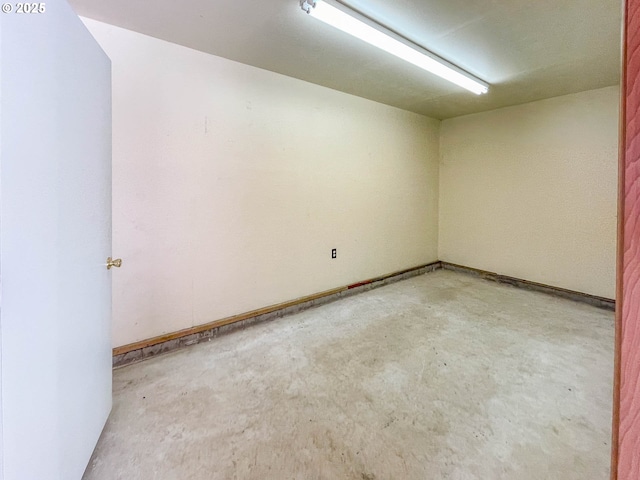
point(138, 351)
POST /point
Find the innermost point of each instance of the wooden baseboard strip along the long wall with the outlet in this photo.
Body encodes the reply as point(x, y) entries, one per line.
point(152, 347)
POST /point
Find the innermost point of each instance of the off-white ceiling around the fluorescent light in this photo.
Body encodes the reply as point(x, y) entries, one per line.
point(526, 49)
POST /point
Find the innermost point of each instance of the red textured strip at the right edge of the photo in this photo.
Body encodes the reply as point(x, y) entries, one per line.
point(628, 461)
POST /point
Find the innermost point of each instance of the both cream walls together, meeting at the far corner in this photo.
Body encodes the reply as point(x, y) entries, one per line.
point(232, 184)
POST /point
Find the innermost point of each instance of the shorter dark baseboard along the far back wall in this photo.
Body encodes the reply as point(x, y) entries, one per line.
point(593, 300)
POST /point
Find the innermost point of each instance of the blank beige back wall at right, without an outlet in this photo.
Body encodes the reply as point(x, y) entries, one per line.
point(530, 191)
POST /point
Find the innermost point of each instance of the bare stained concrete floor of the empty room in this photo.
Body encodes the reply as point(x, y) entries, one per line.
point(443, 376)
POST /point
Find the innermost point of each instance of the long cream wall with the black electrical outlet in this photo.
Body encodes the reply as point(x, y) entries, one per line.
point(232, 184)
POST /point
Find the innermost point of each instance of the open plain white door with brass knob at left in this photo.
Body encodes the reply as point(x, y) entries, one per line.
point(55, 221)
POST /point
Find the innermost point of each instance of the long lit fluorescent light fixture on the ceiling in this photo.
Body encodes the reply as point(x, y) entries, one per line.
point(361, 27)
